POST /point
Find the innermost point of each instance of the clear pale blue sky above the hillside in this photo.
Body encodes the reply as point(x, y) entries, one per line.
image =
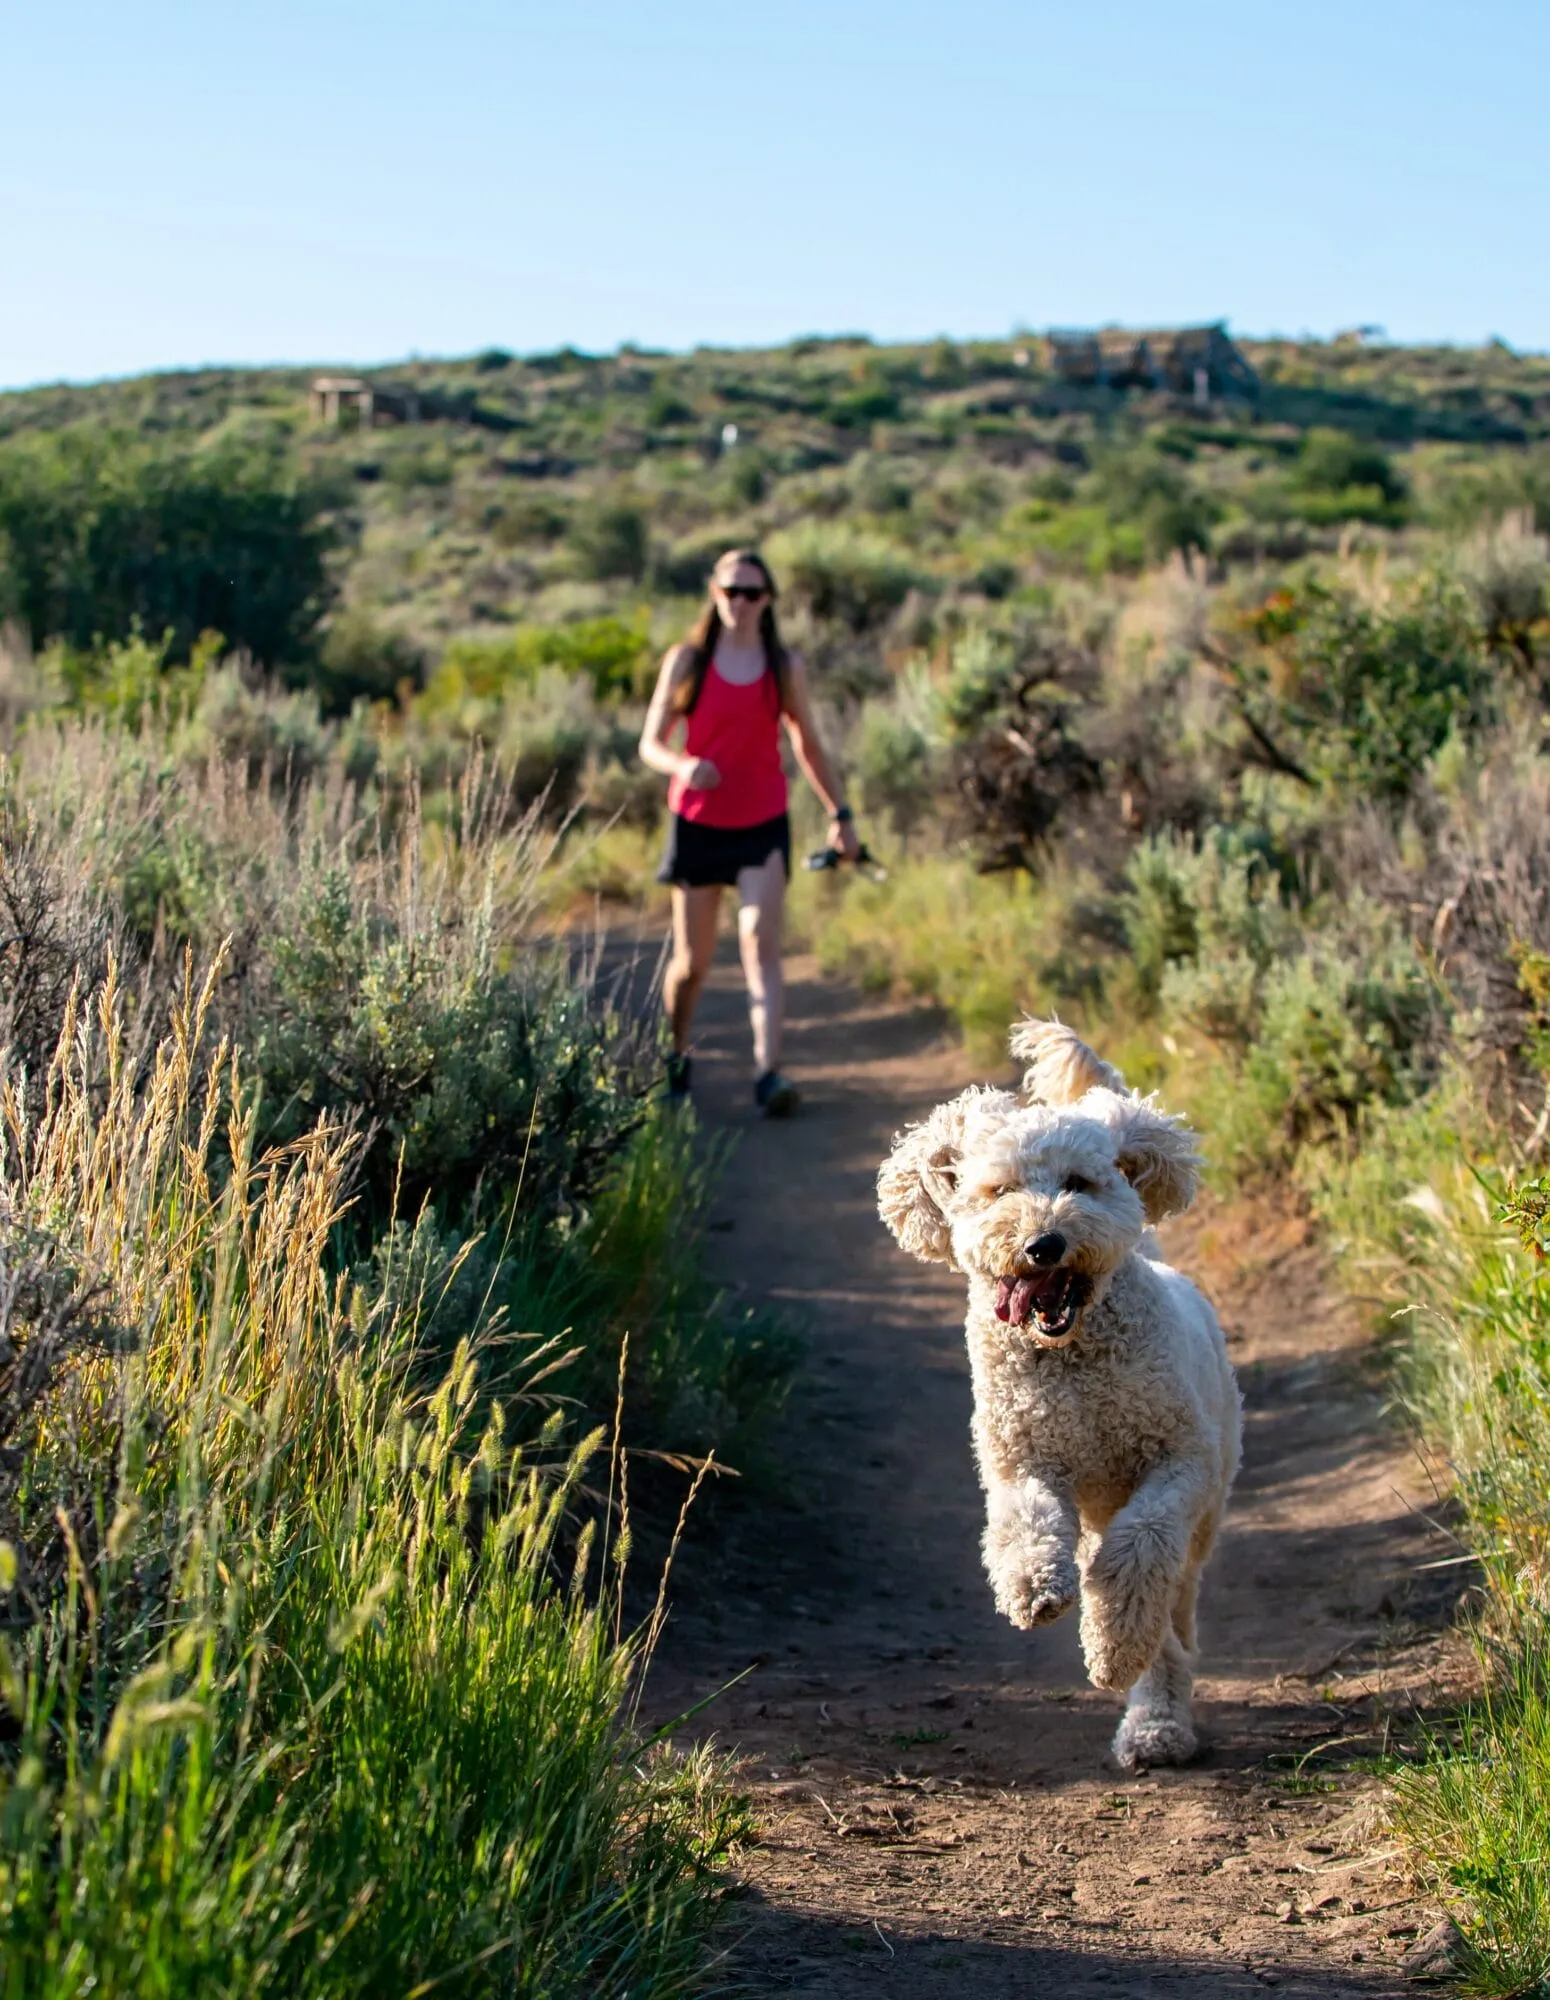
point(349, 183)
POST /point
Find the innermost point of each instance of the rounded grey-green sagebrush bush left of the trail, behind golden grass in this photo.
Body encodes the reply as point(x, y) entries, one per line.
point(397, 1011)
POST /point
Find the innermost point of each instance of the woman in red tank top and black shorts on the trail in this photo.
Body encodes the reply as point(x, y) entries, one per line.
point(731, 685)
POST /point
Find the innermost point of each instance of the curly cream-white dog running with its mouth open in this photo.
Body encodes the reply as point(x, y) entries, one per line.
point(1107, 1419)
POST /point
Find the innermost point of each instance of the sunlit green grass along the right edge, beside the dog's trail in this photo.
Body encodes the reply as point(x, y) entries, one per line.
point(1419, 1223)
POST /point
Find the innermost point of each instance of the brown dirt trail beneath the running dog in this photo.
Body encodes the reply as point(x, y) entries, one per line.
point(933, 1787)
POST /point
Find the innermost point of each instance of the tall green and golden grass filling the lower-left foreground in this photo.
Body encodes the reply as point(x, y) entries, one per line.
point(311, 1689)
